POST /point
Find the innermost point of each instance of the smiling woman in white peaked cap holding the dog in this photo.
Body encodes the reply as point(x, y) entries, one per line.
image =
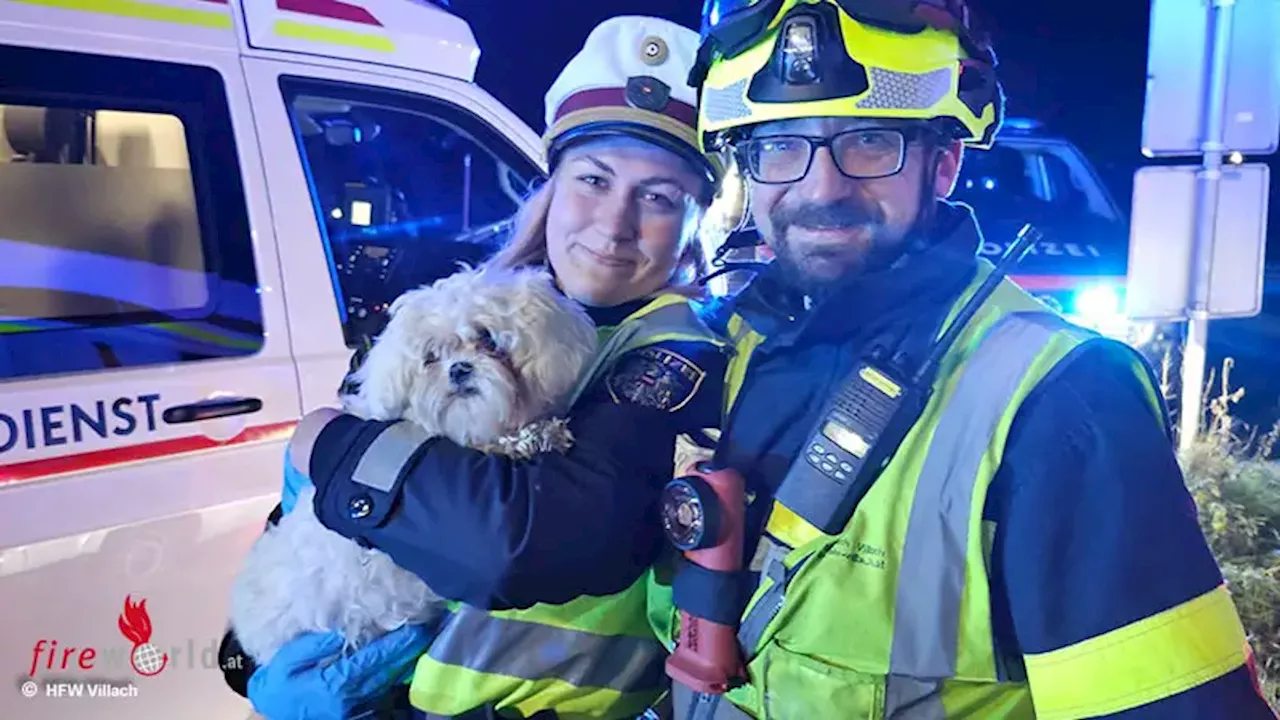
point(546, 559)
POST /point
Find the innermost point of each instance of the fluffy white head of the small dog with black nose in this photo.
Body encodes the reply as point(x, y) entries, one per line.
point(477, 356)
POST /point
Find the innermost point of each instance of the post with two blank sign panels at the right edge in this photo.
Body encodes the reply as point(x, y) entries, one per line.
point(1212, 90)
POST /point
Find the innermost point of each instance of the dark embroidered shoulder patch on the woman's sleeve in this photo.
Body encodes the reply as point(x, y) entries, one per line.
point(655, 377)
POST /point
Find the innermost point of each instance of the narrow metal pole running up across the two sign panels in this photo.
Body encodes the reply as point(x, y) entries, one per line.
point(1206, 216)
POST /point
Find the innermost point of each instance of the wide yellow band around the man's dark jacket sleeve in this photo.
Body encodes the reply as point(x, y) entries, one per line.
point(1149, 660)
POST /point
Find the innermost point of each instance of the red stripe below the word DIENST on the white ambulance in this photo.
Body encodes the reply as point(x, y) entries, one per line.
point(99, 459)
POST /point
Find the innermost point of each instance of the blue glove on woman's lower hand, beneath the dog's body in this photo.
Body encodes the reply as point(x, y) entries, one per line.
point(310, 680)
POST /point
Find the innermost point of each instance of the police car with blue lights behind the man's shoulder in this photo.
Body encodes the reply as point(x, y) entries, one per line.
point(1081, 266)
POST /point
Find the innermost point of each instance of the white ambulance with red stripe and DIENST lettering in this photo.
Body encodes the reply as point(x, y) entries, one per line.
point(205, 206)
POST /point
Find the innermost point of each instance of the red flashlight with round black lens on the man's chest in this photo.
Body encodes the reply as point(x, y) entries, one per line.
point(703, 514)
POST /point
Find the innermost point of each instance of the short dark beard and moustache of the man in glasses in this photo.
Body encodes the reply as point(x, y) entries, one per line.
point(815, 268)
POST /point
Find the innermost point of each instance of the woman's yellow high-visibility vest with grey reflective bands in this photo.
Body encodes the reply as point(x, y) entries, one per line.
point(591, 658)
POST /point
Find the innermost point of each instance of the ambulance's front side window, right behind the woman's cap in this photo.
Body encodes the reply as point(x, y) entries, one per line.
point(405, 189)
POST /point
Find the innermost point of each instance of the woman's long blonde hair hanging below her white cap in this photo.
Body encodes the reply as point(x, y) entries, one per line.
point(527, 243)
